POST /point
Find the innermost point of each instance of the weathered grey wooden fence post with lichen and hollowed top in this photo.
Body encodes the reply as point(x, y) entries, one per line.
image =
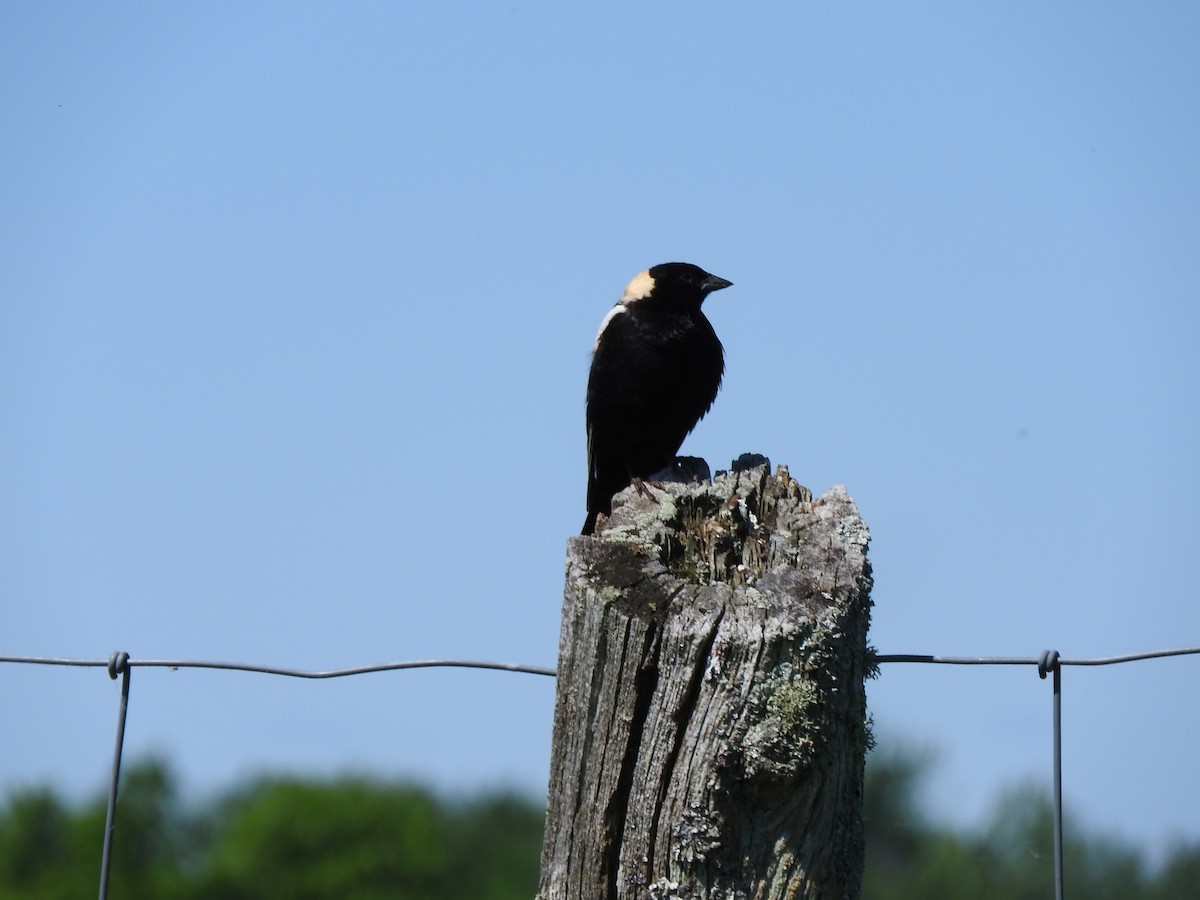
point(711, 722)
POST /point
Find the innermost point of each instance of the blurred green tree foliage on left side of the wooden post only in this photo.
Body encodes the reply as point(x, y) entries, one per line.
point(281, 839)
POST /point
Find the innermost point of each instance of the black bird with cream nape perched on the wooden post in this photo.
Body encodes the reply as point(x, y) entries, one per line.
point(656, 373)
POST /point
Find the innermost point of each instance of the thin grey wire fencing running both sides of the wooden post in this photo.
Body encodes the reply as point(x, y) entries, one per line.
point(121, 665)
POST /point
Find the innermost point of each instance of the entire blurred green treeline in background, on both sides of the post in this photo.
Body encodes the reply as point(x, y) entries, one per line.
point(361, 839)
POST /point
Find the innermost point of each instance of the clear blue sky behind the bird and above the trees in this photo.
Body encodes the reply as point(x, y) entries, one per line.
point(296, 311)
